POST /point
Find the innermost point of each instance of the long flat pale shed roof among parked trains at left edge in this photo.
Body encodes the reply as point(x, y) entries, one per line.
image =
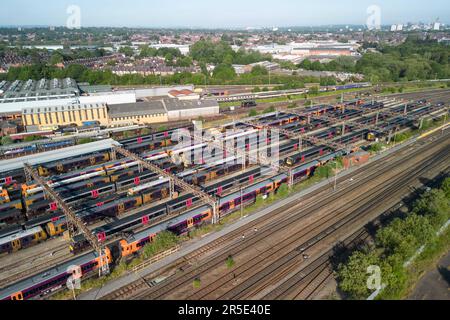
point(56, 155)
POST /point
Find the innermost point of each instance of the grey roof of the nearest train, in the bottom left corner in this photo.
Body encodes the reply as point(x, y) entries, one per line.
point(46, 275)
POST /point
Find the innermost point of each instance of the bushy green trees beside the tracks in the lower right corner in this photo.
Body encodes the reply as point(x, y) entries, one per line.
point(395, 244)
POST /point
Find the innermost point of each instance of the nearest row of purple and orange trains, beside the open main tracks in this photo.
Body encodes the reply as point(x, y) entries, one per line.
point(56, 277)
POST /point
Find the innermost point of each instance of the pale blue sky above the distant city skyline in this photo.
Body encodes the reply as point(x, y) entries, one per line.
point(220, 13)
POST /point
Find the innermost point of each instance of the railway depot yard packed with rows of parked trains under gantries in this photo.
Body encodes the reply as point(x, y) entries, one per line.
point(126, 192)
